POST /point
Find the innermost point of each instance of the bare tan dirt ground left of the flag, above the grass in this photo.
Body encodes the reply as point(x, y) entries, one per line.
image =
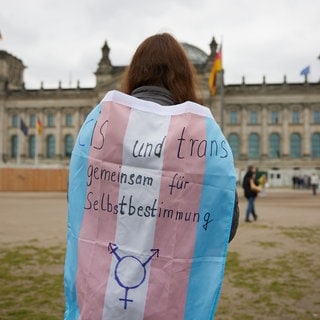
point(40, 216)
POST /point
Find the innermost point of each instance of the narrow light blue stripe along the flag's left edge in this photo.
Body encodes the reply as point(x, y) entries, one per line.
point(76, 196)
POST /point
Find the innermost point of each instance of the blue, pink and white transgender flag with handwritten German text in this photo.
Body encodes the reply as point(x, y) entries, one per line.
point(151, 197)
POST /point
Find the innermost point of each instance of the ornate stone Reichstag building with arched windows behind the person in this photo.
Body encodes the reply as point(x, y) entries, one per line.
point(274, 126)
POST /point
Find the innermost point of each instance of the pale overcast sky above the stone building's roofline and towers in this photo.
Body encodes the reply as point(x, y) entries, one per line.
point(61, 40)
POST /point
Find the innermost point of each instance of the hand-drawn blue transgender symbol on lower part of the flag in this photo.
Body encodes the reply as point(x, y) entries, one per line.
point(129, 272)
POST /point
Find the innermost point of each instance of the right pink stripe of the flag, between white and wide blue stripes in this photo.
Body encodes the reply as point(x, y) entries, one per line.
point(180, 191)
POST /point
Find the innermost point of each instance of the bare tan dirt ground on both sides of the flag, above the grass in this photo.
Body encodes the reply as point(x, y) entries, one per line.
point(42, 216)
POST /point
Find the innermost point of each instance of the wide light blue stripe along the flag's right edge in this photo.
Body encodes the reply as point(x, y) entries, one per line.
point(217, 202)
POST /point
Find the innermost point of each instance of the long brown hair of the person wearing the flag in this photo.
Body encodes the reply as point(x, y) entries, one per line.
point(161, 61)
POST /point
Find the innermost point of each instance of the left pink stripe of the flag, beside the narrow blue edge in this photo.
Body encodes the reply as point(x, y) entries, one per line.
point(99, 221)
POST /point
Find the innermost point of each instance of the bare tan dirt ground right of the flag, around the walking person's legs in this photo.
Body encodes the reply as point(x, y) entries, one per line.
point(279, 208)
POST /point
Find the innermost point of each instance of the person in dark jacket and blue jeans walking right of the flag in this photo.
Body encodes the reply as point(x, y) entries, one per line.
point(251, 190)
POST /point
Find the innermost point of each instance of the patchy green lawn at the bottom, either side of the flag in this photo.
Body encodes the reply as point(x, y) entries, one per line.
point(283, 287)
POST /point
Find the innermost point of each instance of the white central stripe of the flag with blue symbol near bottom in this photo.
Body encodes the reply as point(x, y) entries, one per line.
point(129, 274)
